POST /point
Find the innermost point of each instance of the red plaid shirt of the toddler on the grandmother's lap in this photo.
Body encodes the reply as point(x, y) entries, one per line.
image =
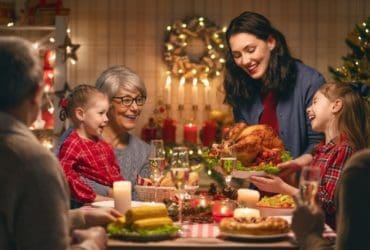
point(94, 160)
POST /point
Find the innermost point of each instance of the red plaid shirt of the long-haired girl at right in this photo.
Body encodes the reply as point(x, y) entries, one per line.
point(330, 158)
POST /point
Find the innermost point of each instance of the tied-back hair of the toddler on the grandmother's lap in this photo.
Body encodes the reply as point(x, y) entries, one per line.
point(79, 97)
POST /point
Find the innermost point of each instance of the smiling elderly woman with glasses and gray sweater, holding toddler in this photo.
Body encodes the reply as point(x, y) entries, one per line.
point(127, 95)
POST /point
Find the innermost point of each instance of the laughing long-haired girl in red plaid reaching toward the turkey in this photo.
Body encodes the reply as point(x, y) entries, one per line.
point(339, 112)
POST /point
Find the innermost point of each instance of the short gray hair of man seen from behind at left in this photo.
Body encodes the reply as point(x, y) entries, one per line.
point(20, 72)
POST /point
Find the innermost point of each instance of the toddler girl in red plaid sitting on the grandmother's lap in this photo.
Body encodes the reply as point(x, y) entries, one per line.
point(84, 155)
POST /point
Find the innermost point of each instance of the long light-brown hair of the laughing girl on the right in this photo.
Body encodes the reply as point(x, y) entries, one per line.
point(352, 120)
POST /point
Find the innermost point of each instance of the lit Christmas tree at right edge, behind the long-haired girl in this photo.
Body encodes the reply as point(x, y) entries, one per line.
point(356, 67)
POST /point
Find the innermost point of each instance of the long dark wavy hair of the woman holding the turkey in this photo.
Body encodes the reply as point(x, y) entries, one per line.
point(281, 73)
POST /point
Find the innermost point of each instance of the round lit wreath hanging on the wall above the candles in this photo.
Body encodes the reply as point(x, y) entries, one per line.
point(194, 48)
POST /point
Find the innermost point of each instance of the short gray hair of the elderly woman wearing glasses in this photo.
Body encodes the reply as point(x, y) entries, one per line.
point(116, 77)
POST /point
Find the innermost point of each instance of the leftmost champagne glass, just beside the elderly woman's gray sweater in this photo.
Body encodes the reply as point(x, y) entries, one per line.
point(157, 162)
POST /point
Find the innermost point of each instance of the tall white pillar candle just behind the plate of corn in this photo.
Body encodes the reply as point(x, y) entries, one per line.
point(122, 195)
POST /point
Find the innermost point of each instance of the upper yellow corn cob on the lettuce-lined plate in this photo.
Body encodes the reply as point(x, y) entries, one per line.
point(138, 213)
